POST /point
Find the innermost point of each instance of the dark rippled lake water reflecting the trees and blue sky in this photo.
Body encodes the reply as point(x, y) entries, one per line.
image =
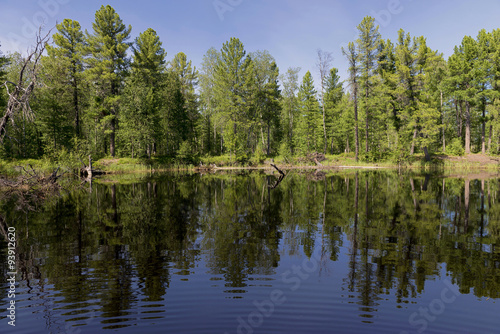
point(357, 252)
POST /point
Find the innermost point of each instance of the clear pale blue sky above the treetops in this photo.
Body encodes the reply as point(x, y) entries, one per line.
point(291, 30)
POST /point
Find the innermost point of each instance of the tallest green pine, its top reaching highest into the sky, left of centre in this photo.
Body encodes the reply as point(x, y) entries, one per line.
point(107, 66)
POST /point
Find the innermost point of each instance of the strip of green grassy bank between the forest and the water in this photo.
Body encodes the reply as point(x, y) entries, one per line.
point(128, 165)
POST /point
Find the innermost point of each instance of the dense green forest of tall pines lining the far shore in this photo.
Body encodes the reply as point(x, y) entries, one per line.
point(99, 93)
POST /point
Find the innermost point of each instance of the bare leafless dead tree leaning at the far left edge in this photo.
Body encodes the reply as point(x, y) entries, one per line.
point(20, 92)
